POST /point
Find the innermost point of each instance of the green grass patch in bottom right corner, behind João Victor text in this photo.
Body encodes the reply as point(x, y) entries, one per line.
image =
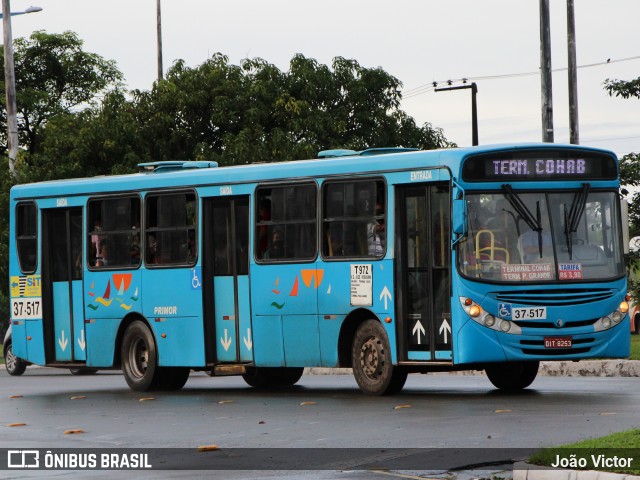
point(620, 445)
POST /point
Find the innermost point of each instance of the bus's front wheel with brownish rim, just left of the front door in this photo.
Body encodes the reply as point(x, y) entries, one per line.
point(371, 361)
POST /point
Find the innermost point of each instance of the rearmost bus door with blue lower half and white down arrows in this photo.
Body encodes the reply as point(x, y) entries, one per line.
point(63, 265)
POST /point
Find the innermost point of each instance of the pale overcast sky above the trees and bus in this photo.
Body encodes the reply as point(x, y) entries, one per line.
point(417, 41)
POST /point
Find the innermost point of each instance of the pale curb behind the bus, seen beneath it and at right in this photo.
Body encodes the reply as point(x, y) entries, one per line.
point(585, 368)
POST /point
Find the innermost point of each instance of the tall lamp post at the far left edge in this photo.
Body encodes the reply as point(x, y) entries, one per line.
point(10, 82)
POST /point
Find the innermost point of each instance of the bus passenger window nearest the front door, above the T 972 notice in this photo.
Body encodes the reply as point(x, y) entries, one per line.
point(354, 219)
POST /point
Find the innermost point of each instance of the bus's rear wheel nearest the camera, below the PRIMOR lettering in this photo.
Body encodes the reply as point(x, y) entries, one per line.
point(139, 357)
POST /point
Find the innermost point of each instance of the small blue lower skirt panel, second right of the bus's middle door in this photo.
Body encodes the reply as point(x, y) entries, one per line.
point(301, 340)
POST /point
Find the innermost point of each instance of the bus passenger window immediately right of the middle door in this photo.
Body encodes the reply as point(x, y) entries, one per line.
point(286, 223)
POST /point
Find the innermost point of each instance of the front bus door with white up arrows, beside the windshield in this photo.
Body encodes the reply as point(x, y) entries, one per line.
point(423, 272)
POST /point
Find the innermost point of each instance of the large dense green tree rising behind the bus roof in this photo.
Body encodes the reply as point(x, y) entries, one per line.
point(254, 112)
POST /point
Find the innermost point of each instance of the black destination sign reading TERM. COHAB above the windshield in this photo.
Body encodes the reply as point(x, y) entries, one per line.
point(544, 165)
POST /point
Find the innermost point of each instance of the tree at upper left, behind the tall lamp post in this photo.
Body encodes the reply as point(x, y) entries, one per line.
point(54, 76)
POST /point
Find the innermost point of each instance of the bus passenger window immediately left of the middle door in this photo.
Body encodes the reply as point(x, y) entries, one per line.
point(170, 229)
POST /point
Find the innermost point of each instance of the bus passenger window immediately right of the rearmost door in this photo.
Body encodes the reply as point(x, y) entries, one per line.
point(114, 232)
